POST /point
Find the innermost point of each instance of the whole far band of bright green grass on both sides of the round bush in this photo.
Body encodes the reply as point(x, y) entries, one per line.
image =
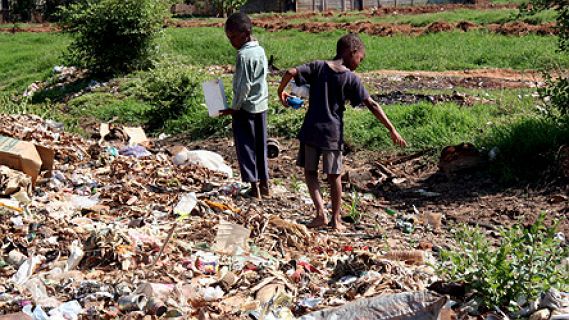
point(28, 57)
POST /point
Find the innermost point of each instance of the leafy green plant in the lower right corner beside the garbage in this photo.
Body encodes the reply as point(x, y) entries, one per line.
point(526, 262)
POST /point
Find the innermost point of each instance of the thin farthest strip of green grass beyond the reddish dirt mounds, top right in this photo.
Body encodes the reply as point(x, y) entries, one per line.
point(451, 16)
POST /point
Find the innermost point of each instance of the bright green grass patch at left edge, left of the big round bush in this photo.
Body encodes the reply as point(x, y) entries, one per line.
point(28, 57)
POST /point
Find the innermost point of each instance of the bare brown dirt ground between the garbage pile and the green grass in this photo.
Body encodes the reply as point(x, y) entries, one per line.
point(472, 198)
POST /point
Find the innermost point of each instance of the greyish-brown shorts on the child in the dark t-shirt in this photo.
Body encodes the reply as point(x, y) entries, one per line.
point(309, 158)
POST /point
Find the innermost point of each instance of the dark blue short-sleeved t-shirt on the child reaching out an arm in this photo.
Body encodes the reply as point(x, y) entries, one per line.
point(323, 125)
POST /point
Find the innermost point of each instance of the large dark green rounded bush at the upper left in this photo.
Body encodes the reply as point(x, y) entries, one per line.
point(113, 36)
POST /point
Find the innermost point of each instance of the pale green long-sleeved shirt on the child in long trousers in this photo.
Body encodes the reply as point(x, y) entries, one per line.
point(250, 89)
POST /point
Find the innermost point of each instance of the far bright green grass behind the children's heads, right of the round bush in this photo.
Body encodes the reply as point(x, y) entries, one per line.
point(439, 51)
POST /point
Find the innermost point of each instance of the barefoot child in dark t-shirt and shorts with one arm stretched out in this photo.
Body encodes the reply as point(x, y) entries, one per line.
point(332, 83)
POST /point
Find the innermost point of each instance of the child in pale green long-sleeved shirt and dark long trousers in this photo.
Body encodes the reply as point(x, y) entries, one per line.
point(250, 104)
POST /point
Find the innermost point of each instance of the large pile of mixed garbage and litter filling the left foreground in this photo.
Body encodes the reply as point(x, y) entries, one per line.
point(122, 228)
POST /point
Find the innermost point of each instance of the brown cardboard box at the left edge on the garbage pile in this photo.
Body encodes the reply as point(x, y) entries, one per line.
point(25, 156)
